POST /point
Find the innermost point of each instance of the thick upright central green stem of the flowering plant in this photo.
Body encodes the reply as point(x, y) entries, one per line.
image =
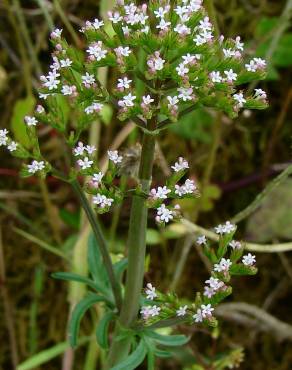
point(136, 254)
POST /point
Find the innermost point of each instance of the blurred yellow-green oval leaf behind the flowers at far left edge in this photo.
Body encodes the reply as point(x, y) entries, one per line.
point(22, 108)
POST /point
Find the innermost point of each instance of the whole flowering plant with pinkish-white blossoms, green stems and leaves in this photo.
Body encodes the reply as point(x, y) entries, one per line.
point(176, 53)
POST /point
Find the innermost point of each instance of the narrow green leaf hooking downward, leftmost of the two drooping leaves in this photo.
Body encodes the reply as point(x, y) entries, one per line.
point(77, 315)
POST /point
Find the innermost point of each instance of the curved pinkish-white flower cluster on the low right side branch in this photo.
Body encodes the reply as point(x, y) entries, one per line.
point(227, 260)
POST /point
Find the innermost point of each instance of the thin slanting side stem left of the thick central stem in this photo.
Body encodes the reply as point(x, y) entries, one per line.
point(100, 241)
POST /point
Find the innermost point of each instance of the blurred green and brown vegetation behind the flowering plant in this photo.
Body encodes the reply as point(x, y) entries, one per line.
point(232, 162)
